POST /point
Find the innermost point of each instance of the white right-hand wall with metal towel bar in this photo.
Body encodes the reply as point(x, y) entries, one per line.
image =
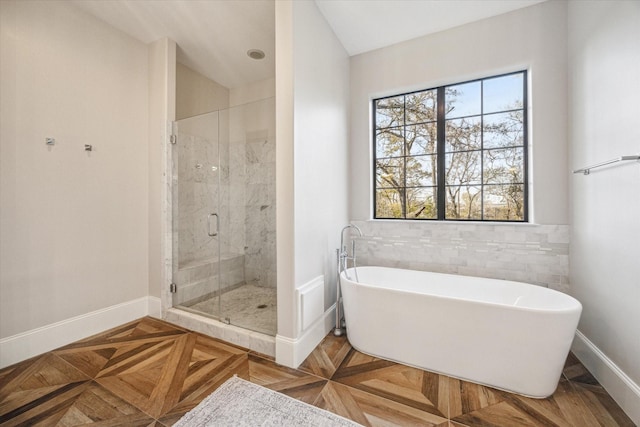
point(604, 65)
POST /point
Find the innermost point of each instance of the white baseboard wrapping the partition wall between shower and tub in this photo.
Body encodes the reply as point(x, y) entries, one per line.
point(292, 352)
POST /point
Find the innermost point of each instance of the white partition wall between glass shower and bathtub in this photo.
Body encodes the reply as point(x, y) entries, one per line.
point(312, 90)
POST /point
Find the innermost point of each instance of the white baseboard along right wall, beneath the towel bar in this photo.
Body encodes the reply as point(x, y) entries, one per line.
point(618, 384)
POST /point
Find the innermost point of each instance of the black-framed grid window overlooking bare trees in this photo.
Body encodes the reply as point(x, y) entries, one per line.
point(456, 152)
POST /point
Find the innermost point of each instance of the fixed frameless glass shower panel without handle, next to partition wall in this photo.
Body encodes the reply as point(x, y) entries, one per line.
point(247, 159)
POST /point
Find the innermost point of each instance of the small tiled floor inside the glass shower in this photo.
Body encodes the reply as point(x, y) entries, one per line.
point(248, 306)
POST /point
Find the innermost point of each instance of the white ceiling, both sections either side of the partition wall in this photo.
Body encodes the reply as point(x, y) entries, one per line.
point(213, 36)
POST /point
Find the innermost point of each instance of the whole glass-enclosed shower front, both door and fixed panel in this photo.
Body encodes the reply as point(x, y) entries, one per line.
point(223, 216)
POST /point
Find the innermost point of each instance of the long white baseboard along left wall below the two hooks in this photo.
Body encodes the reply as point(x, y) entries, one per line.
point(31, 343)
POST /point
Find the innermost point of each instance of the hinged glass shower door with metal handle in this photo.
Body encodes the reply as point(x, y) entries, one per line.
point(196, 215)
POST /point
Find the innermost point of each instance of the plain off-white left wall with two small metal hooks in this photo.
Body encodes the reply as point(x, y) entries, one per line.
point(74, 224)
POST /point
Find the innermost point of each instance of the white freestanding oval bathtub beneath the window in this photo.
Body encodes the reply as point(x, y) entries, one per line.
point(508, 335)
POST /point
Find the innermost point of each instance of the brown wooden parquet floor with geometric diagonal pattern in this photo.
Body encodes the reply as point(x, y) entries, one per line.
point(150, 373)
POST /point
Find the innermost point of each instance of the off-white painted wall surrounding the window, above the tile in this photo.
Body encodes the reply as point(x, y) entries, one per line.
point(533, 38)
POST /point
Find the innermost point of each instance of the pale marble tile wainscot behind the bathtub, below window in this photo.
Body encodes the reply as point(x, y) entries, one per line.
point(537, 254)
